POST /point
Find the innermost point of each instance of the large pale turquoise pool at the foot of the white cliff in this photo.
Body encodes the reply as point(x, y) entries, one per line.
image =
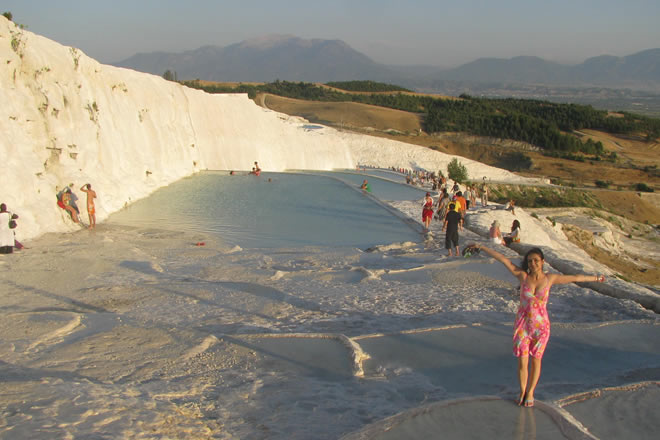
point(291, 210)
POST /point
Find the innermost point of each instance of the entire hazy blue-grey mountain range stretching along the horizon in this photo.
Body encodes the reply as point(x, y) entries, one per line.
point(290, 58)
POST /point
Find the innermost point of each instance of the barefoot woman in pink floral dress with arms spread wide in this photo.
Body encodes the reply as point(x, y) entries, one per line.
point(532, 326)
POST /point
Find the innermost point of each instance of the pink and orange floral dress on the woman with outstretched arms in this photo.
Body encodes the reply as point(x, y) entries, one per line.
point(532, 327)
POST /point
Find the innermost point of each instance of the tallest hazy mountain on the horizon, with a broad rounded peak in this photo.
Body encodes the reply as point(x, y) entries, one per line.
point(265, 59)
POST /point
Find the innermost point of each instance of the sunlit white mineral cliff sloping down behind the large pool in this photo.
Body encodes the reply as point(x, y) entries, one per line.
point(65, 119)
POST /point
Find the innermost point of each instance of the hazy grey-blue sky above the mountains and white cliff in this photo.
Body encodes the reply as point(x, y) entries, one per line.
point(435, 32)
